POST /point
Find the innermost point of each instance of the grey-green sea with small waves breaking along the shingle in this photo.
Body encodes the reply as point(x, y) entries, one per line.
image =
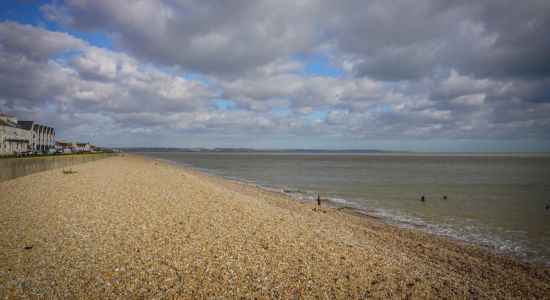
point(495, 201)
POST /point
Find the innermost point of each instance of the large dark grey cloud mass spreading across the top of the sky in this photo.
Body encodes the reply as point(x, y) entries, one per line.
point(389, 40)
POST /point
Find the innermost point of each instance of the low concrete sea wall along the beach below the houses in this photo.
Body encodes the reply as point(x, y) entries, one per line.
point(16, 167)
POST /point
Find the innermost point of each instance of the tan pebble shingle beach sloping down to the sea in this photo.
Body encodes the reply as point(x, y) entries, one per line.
point(130, 226)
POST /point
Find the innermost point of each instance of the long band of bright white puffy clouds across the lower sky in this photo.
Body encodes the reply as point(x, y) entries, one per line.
point(122, 96)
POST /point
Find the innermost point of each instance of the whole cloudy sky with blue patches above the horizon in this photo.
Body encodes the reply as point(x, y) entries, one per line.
point(413, 75)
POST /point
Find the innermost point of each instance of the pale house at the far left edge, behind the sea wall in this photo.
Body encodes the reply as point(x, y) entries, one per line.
point(13, 138)
